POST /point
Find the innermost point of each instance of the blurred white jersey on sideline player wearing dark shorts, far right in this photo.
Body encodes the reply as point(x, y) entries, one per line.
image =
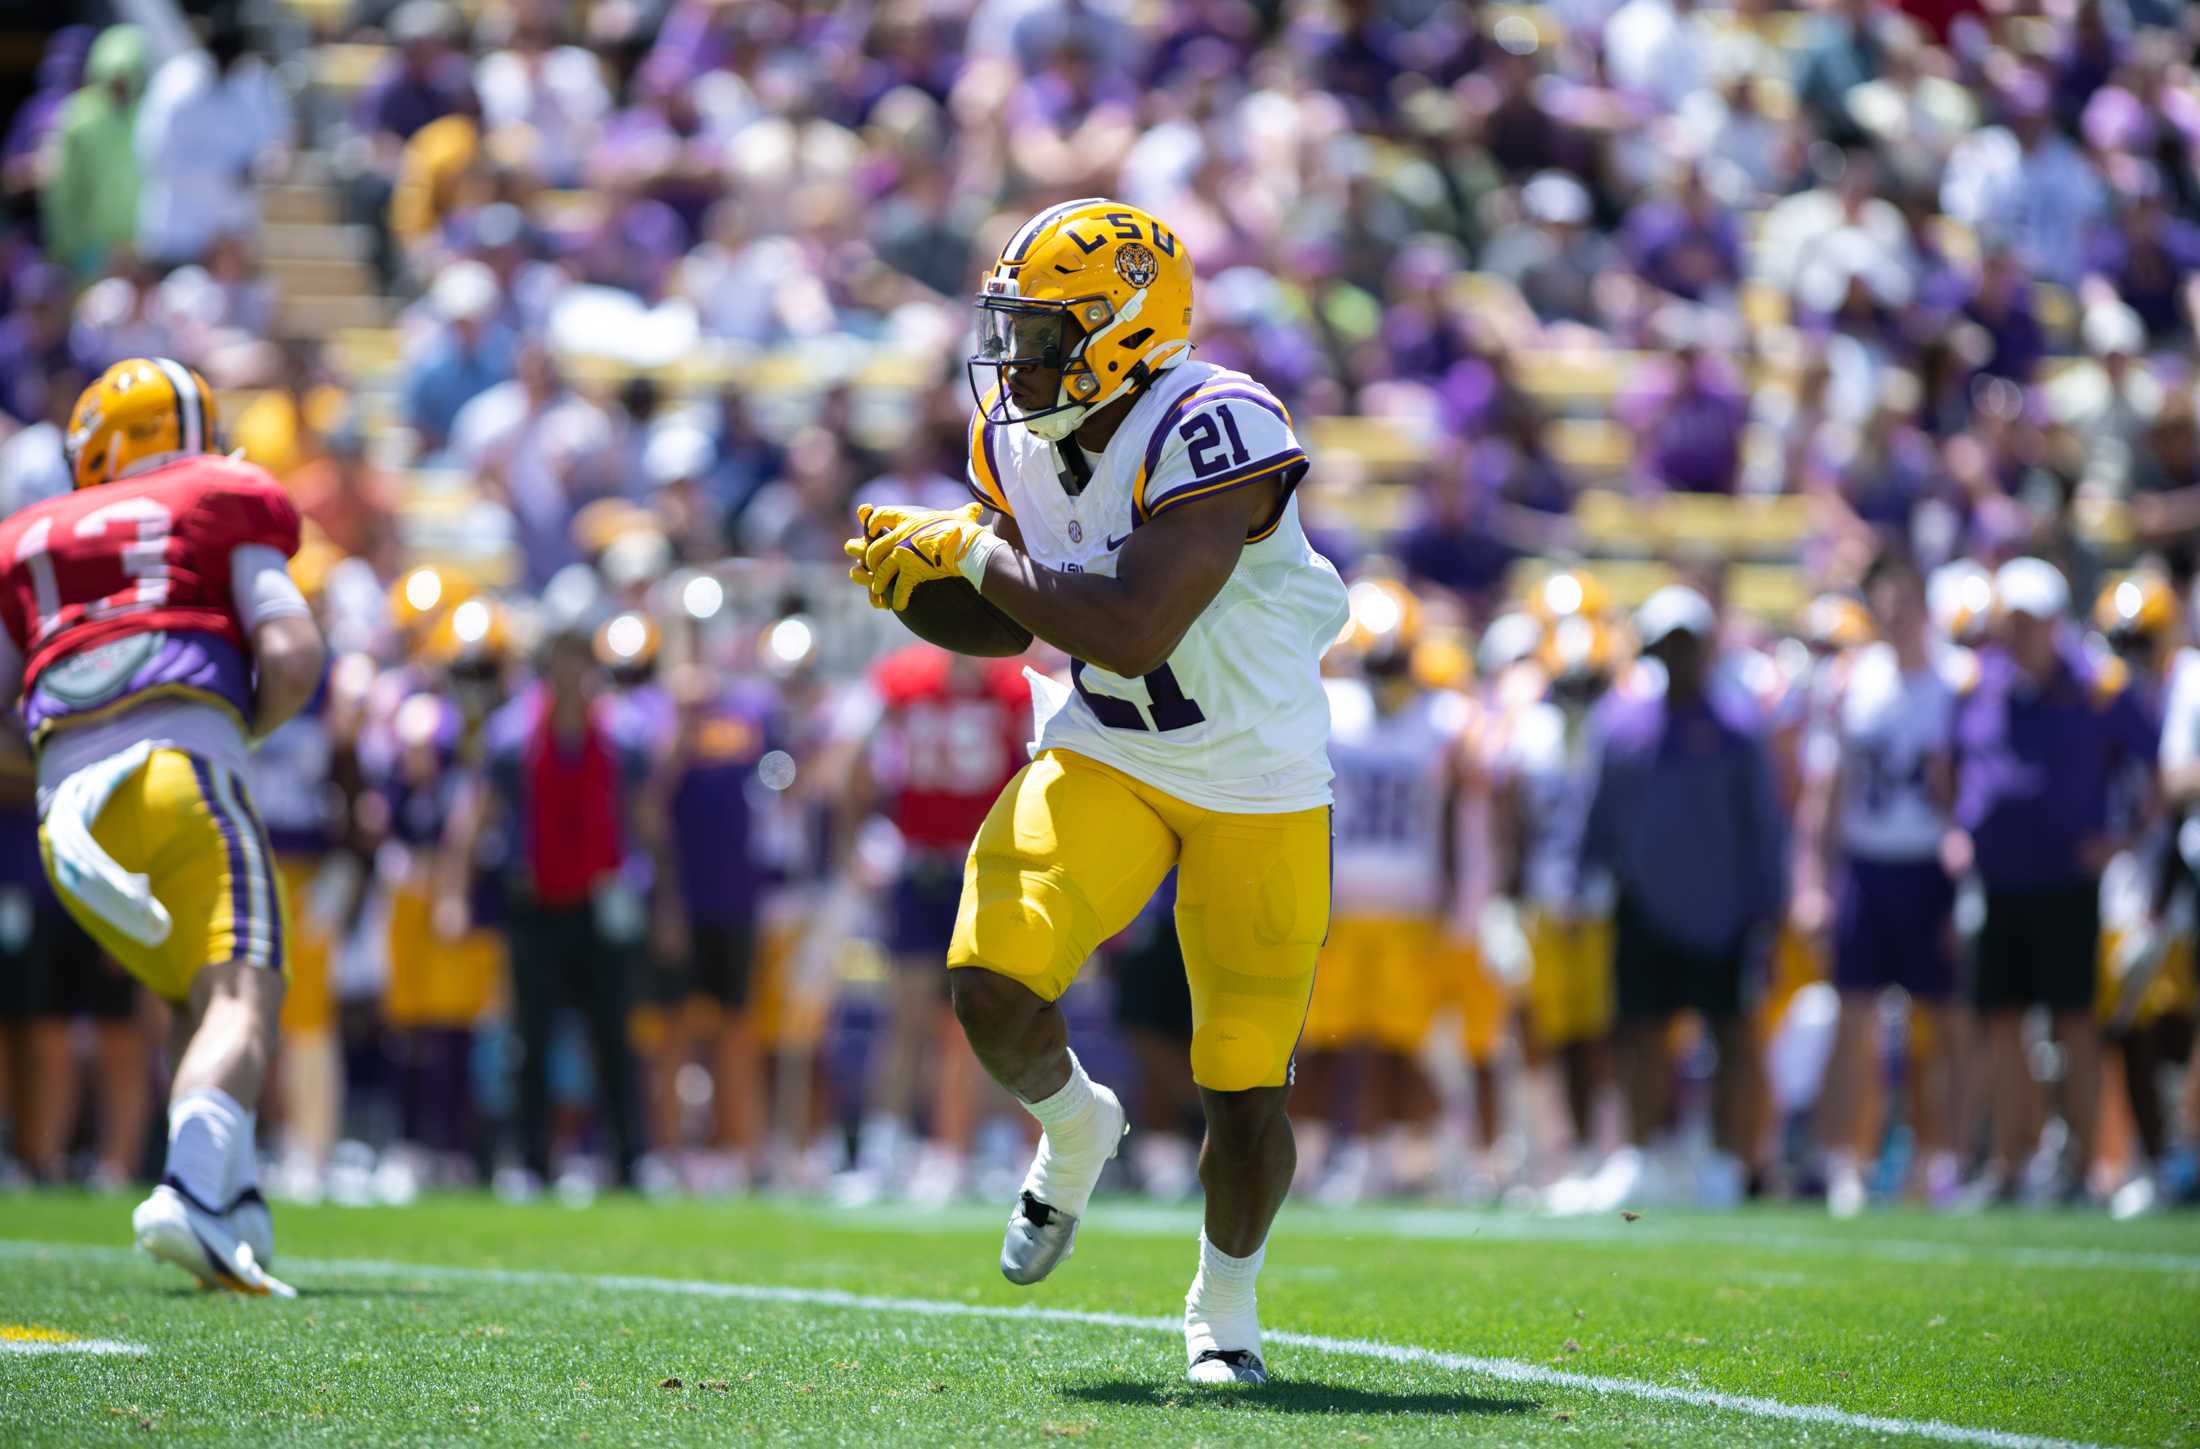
point(1891, 724)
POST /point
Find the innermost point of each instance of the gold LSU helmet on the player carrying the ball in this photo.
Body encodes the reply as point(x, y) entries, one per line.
point(1094, 291)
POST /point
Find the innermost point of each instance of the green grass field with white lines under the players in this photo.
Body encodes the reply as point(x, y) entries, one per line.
point(760, 1323)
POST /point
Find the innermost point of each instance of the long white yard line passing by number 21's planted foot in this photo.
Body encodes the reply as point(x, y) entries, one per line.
point(1504, 1371)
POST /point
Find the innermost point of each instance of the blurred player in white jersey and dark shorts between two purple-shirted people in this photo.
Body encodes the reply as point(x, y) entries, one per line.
point(1880, 823)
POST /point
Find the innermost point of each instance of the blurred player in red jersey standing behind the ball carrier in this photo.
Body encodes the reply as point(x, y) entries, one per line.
point(951, 733)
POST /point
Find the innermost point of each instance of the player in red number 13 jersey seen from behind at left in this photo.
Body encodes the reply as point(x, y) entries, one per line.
point(153, 632)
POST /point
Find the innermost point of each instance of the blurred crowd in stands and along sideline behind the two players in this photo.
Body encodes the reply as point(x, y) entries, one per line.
point(1871, 322)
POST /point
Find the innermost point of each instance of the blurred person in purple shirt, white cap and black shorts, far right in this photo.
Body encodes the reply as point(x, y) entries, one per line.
point(2040, 744)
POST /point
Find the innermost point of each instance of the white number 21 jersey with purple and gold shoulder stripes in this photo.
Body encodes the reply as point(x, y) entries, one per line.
point(1235, 720)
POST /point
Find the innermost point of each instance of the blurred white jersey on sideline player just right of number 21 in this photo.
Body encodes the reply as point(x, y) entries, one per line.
point(1391, 779)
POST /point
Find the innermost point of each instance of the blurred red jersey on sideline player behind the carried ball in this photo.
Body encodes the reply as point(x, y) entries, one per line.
point(960, 731)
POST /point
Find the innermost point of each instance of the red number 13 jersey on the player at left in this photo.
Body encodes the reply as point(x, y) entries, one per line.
point(146, 557)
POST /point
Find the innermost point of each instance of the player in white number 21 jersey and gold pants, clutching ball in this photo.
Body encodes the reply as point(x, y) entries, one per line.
point(1143, 520)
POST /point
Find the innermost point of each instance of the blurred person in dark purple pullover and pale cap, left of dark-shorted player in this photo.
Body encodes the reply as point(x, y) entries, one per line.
point(1686, 819)
